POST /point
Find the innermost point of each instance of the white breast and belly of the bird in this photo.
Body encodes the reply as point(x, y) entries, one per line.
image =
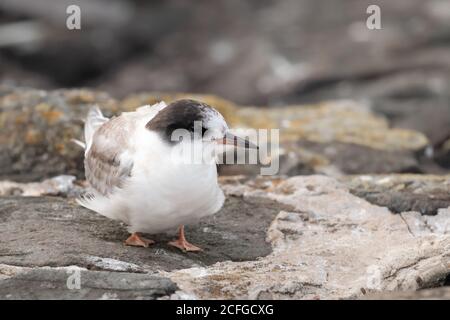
point(162, 193)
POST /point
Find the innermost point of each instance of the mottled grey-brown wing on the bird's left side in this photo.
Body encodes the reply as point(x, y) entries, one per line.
point(108, 162)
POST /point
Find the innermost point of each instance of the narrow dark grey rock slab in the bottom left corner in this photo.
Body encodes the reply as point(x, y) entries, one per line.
point(61, 283)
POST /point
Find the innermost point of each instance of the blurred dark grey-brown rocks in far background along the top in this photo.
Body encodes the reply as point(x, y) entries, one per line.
point(295, 51)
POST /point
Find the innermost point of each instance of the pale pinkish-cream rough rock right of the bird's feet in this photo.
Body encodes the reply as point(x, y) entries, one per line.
point(331, 245)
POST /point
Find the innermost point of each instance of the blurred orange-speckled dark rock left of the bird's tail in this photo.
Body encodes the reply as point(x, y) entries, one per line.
point(37, 128)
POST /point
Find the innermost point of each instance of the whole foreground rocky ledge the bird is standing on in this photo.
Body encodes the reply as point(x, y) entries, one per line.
point(304, 237)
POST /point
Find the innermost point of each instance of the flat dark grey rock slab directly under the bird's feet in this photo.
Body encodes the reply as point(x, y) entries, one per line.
point(46, 231)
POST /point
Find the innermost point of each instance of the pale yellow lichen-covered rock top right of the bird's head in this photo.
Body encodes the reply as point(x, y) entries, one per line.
point(338, 121)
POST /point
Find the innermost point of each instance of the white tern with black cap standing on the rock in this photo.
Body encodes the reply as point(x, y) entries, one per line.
point(137, 173)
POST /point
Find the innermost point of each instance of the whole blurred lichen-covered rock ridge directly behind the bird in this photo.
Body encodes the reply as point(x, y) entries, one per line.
point(336, 137)
